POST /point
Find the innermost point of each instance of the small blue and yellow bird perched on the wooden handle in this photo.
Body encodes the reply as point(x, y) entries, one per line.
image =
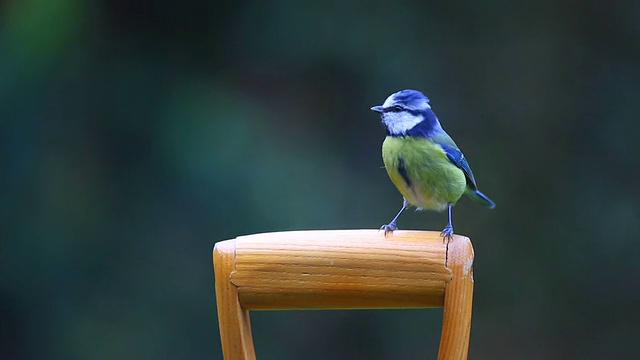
point(422, 160)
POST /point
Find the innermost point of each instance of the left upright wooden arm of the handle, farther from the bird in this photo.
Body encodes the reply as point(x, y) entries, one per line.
point(235, 327)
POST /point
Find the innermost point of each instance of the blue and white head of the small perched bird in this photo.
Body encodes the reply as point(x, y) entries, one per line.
point(405, 109)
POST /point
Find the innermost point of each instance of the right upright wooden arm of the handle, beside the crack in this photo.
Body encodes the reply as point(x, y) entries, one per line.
point(458, 301)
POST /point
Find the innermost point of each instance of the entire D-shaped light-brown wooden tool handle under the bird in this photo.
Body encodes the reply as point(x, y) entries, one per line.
point(342, 269)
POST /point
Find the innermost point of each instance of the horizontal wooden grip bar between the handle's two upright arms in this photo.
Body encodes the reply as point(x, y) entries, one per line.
point(340, 269)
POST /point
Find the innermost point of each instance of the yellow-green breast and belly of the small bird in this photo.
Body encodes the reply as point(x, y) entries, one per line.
point(422, 172)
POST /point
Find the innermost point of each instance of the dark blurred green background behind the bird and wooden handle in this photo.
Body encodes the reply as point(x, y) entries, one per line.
point(134, 135)
